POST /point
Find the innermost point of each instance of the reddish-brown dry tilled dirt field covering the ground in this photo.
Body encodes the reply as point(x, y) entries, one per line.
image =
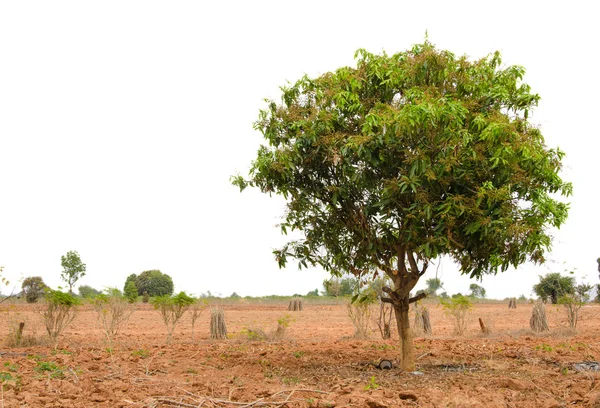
point(317, 364)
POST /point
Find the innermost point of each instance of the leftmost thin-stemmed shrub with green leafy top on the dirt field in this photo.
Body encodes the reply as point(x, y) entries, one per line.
point(59, 312)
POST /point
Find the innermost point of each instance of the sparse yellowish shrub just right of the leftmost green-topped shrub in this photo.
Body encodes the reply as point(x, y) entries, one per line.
point(113, 312)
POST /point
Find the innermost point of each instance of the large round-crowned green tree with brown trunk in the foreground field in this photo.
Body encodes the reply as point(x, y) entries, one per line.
point(406, 158)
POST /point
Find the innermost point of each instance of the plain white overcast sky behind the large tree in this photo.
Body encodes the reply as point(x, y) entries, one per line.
point(122, 121)
